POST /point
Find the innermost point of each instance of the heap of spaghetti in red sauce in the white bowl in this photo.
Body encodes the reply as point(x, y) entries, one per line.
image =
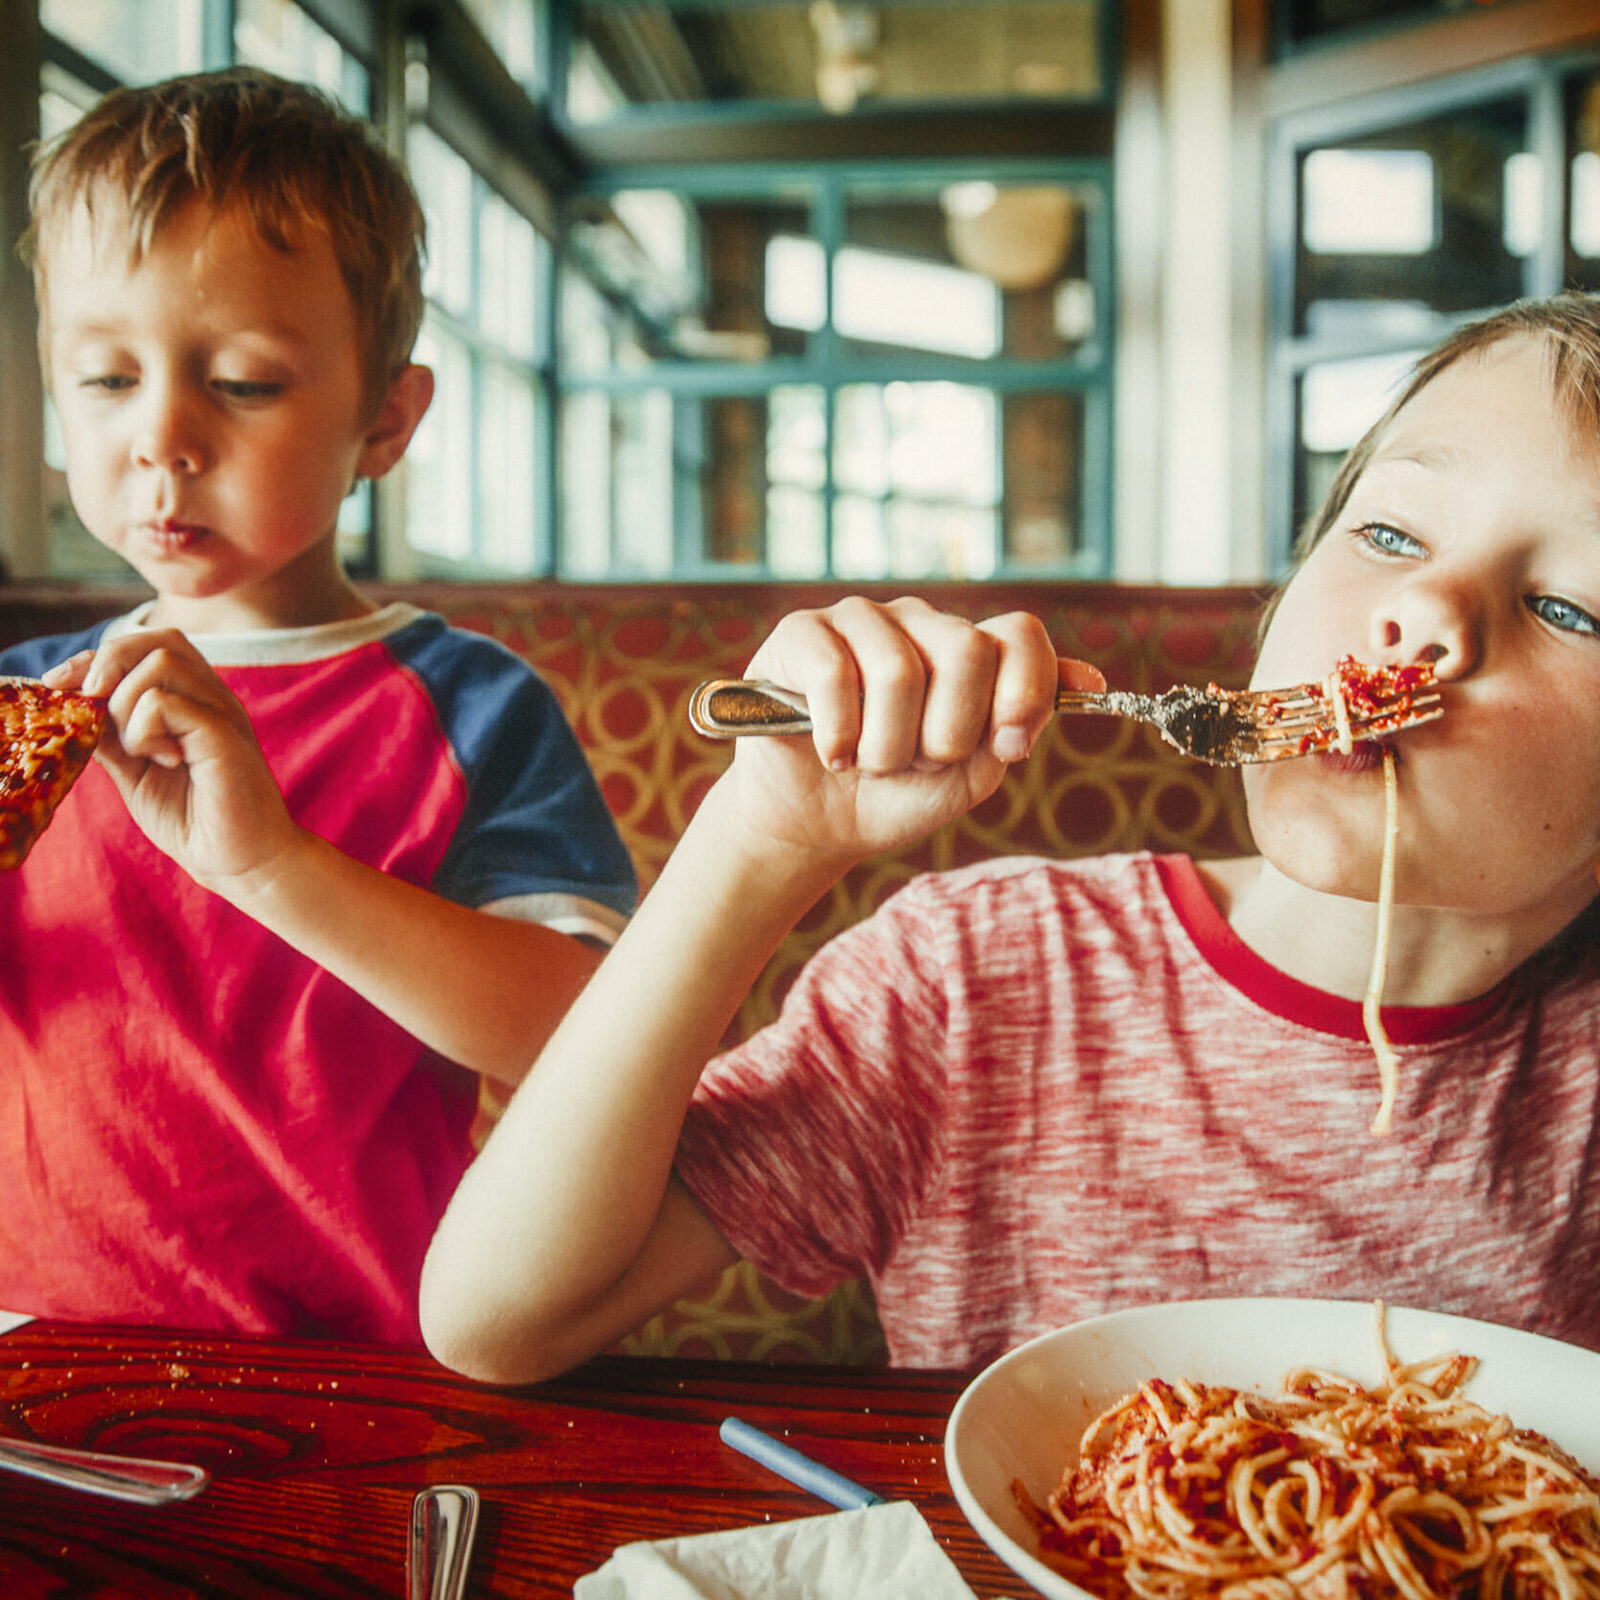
point(1329, 1492)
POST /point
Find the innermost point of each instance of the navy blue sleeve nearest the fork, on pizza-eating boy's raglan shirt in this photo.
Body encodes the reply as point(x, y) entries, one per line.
point(535, 822)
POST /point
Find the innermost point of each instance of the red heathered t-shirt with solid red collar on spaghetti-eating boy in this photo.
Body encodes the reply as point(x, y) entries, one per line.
point(1031, 1092)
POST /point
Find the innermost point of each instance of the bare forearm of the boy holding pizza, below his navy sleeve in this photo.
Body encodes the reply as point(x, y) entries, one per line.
point(484, 991)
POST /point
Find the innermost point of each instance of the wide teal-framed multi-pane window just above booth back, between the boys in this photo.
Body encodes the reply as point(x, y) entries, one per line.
point(836, 382)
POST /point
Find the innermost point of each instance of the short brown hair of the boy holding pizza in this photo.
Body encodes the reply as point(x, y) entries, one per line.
point(282, 151)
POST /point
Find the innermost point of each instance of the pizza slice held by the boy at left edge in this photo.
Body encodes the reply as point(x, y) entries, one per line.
point(47, 738)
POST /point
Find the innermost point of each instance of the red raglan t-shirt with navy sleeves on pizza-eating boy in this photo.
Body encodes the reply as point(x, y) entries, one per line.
point(201, 1127)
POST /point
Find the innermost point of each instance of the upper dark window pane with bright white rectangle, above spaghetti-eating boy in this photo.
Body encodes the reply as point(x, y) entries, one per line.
point(1430, 218)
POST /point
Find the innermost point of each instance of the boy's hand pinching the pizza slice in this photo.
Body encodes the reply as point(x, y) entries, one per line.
point(183, 756)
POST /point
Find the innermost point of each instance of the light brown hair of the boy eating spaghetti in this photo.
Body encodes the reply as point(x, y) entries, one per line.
point(1570, 327)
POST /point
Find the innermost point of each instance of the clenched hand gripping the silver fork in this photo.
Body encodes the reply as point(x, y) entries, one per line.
point(916, 716)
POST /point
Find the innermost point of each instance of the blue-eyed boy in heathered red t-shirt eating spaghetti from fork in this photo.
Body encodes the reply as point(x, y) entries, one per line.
point(1030, 1092)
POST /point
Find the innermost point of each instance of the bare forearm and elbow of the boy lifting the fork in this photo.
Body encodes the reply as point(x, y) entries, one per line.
point(553, 1246)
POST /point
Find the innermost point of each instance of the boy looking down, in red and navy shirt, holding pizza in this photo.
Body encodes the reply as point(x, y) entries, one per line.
point(334, 862)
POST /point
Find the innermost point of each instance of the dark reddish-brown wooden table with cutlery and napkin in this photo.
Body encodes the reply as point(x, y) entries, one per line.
point(319, 1449)
